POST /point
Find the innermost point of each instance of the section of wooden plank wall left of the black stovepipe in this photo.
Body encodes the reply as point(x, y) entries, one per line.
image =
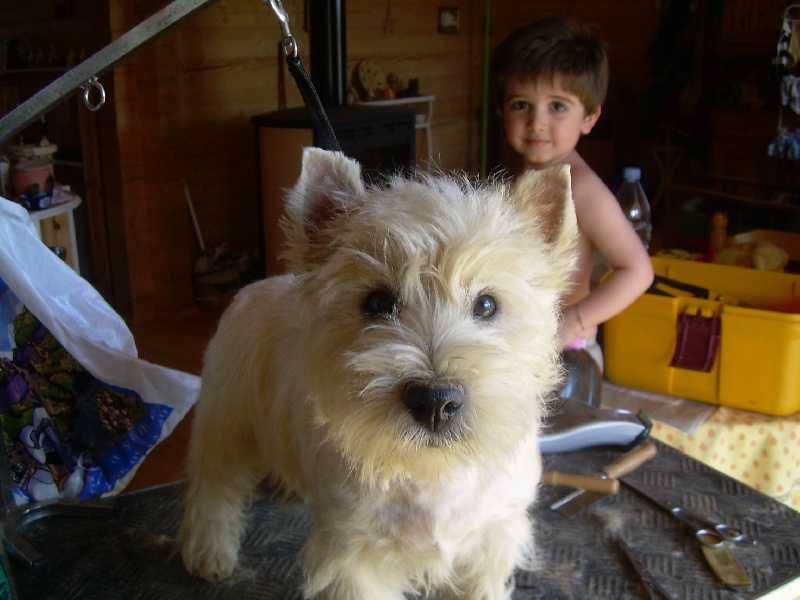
point(183, 117)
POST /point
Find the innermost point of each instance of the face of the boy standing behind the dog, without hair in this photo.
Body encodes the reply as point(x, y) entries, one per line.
point(543, 122)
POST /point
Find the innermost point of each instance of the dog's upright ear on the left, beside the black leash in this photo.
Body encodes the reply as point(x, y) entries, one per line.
point(327, 182)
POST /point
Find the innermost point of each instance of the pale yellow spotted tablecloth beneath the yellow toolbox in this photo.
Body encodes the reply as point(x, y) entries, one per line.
point(761, 451)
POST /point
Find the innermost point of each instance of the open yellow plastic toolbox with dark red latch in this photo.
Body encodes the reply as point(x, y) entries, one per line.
point(713, 333)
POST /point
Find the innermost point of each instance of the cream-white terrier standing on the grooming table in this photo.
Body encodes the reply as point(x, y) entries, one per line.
point(395, 380)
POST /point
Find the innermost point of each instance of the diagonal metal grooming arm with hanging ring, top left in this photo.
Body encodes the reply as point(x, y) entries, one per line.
point(84, 75)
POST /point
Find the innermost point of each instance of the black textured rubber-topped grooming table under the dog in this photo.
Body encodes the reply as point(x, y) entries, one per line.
point(135, 555)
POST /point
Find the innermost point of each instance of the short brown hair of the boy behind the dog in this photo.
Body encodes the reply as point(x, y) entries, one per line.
point(554, 48)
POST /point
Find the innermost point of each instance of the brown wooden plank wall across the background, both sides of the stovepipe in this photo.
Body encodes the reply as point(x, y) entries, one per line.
point(182, 109)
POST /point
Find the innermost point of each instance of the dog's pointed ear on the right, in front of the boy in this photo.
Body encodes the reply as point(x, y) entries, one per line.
point(547, 196)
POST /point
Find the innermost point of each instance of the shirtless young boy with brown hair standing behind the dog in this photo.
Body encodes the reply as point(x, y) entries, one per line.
point(551, 79)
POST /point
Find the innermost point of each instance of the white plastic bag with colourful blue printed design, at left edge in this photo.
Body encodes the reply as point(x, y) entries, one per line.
point(79, 410)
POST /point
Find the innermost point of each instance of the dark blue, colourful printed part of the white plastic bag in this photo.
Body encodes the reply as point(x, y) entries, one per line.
point(66, 433)
